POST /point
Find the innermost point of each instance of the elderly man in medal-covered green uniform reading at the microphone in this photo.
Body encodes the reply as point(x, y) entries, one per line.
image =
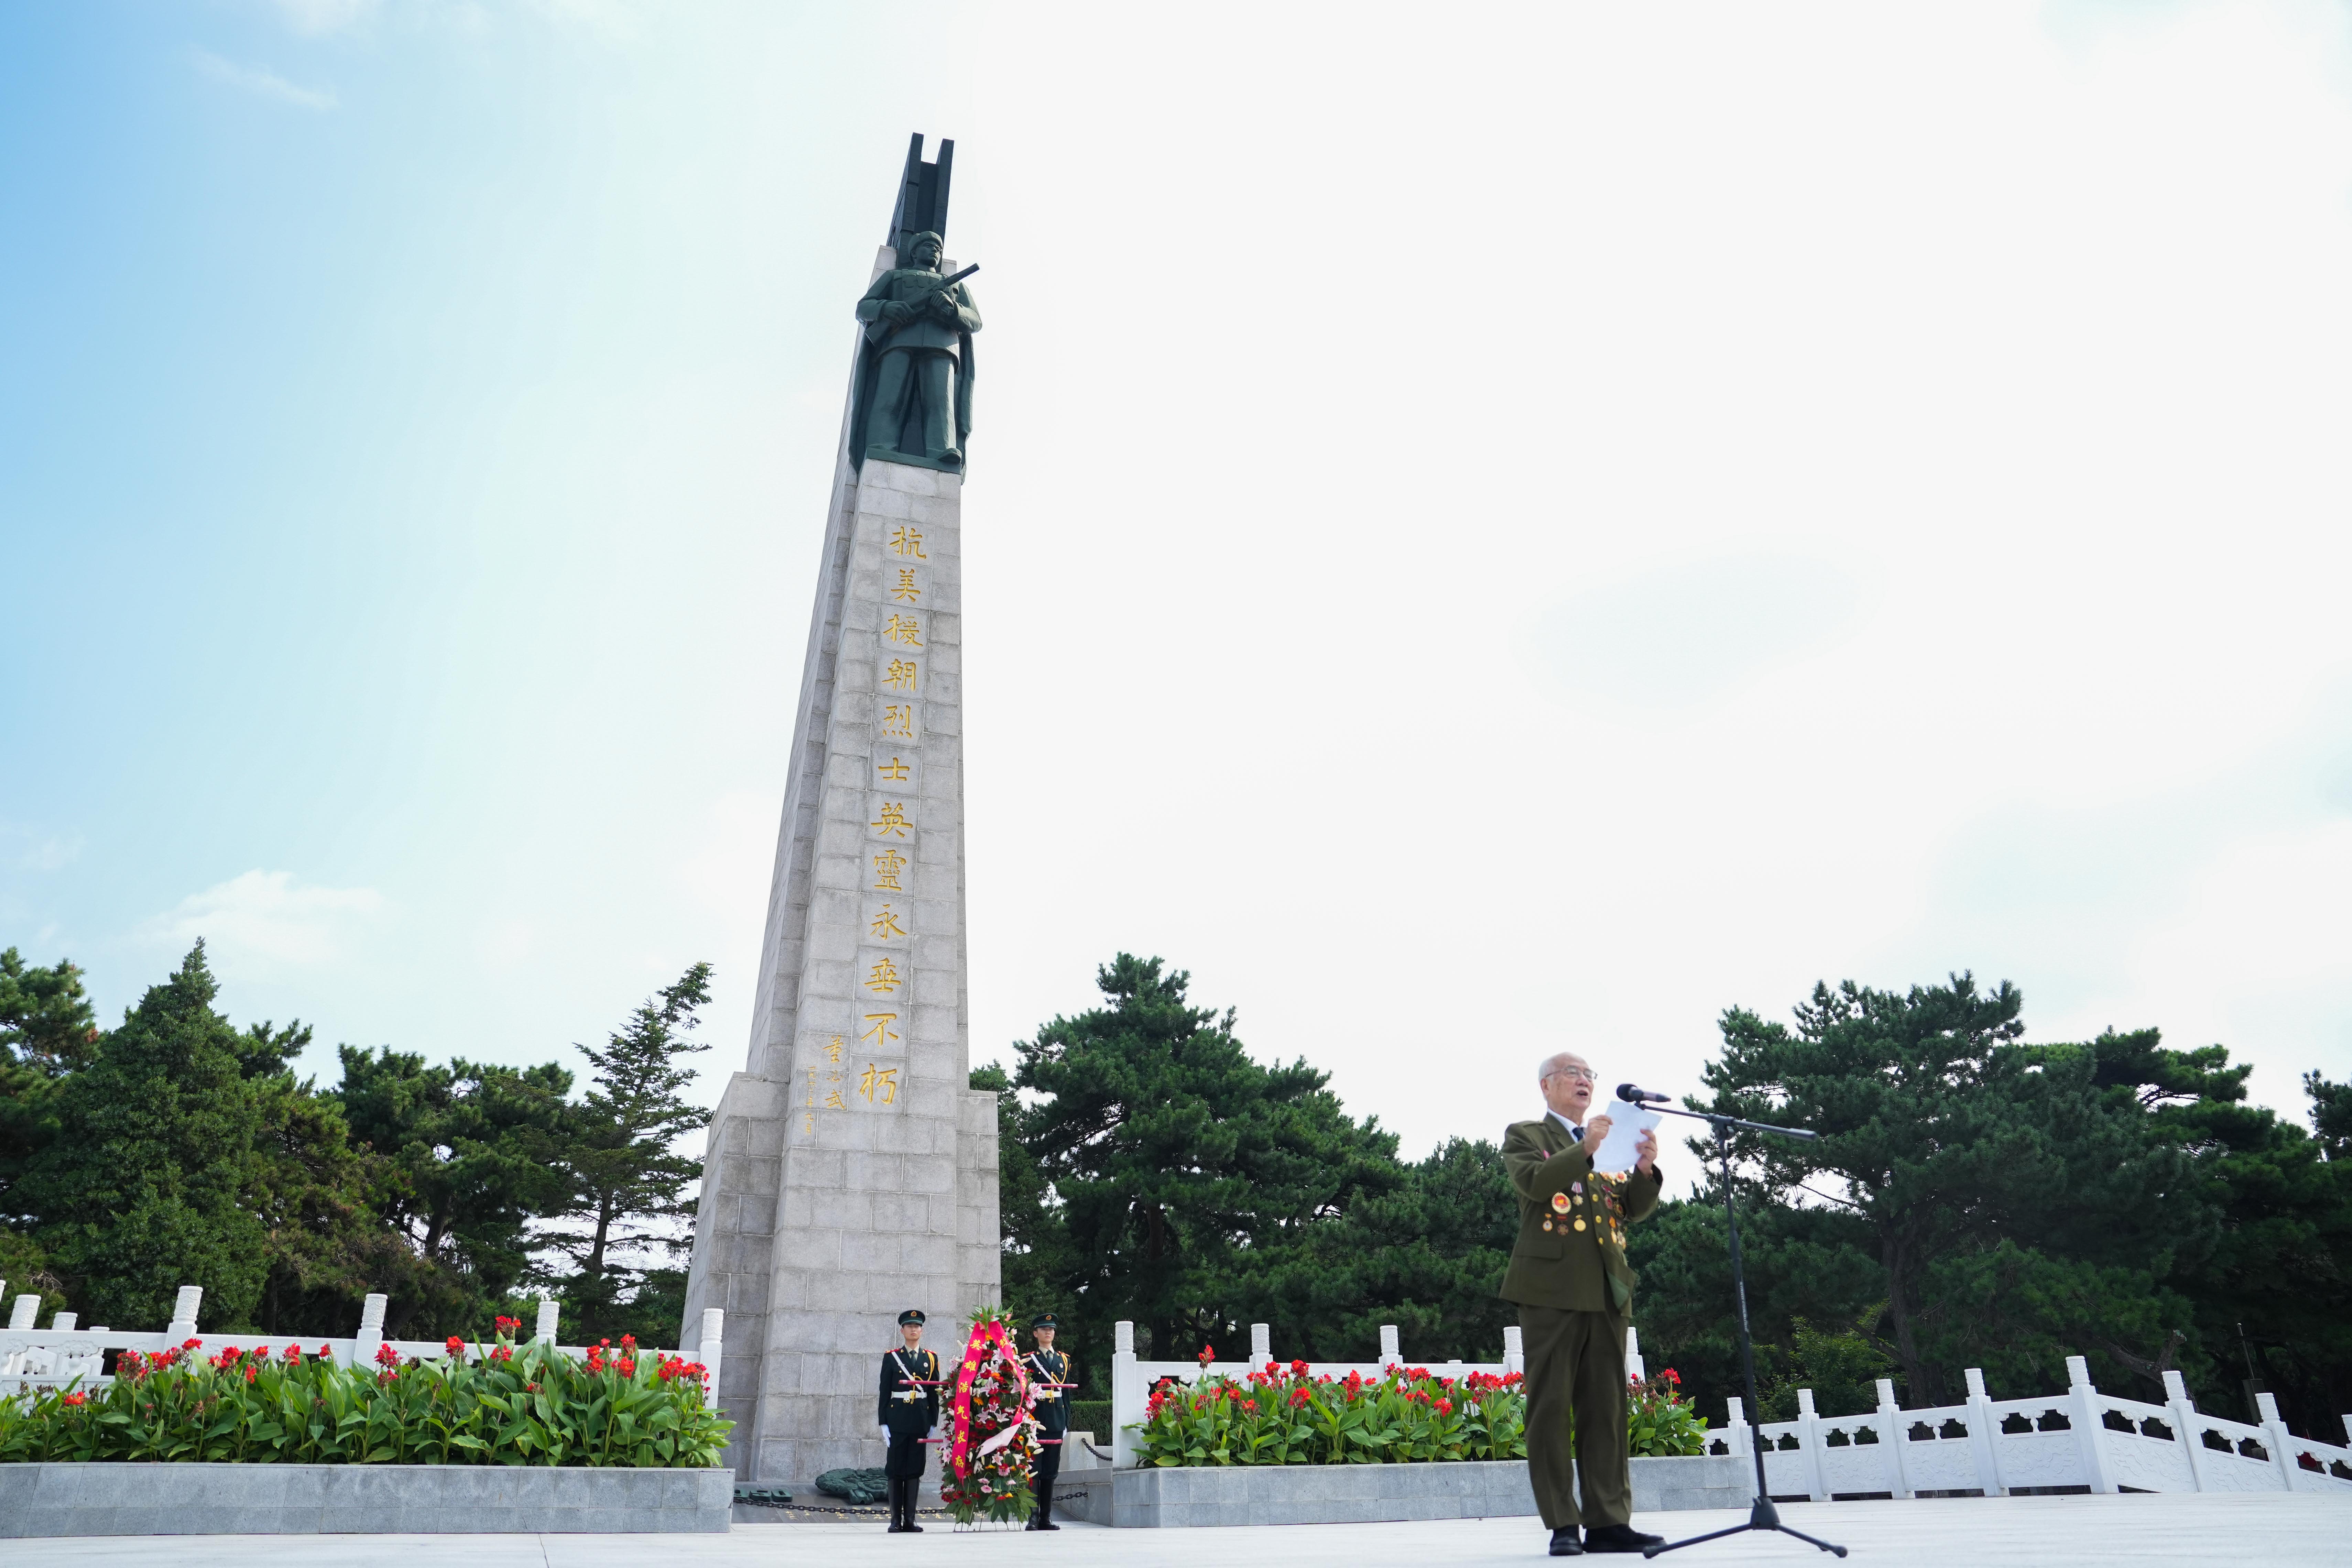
point(1575, 1292)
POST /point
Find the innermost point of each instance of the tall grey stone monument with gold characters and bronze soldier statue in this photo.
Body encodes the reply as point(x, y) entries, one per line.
point(850, 1170)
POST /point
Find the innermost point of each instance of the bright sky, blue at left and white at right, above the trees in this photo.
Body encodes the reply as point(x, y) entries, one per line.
point(1490, 530)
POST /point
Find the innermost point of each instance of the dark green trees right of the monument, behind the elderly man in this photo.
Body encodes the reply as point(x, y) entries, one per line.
point(1975, 1200)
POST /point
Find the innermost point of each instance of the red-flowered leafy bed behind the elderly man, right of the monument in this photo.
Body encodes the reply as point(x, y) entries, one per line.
point(1288, 1416)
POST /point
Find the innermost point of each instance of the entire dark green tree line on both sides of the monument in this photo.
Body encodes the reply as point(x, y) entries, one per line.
point(1975, 1198)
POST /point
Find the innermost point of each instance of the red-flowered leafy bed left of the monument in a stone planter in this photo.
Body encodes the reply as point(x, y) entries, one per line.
point(495, 1405)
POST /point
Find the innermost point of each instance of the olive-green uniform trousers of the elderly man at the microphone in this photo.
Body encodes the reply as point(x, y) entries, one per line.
point(1577, 1416)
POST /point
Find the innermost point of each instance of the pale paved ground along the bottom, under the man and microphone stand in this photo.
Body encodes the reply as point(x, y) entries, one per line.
point(2278, 1532)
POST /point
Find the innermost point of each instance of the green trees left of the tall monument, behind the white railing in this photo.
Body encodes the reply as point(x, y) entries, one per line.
point(178, 1148)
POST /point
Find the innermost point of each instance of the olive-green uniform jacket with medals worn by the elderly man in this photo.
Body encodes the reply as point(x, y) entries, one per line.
point(1575, 1264)
